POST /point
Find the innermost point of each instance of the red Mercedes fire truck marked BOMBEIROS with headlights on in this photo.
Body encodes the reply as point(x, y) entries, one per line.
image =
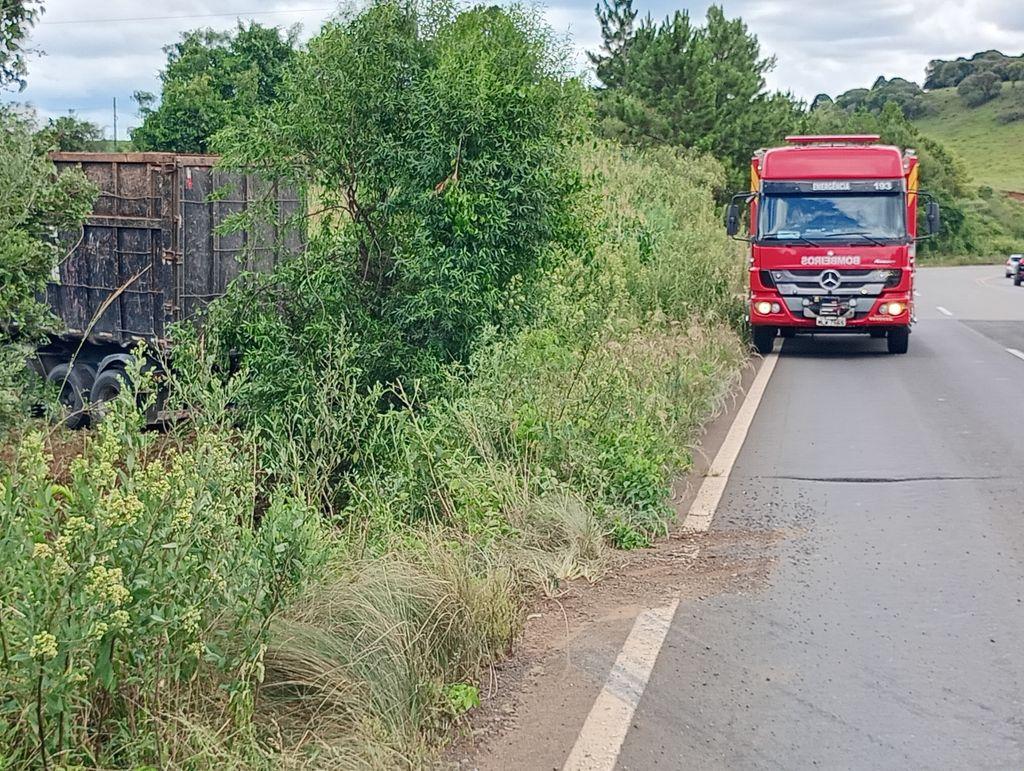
point(833, 235)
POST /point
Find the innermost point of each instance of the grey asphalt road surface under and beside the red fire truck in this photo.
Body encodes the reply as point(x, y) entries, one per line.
point(890, 633)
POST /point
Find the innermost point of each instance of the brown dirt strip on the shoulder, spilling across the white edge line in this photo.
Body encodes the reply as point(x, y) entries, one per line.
point(547, 688)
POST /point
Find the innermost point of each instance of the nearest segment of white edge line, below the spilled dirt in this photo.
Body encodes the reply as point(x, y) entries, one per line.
point(603, 736)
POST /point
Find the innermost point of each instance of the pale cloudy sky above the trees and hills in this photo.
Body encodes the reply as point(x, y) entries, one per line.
point(92, 53)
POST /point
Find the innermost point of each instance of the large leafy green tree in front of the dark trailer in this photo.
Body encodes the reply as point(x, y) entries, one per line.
point(439, 148)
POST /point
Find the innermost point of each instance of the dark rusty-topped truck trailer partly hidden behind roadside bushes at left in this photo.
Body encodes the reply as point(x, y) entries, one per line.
point(150, 256)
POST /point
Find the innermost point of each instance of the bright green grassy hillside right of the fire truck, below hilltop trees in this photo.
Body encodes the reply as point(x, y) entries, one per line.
point(994, 152)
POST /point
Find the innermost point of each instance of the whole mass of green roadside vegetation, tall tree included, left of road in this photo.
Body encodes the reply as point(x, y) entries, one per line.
point(481, 377)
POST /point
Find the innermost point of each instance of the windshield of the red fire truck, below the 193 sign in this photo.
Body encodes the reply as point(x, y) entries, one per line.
point(817, 218)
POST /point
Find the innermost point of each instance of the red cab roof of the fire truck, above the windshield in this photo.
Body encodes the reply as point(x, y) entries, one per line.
point(839, 157)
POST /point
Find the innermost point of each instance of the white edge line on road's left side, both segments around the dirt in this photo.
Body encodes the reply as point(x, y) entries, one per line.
point(603, 736)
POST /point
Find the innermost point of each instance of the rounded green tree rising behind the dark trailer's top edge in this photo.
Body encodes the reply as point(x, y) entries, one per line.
point(211, 79)
